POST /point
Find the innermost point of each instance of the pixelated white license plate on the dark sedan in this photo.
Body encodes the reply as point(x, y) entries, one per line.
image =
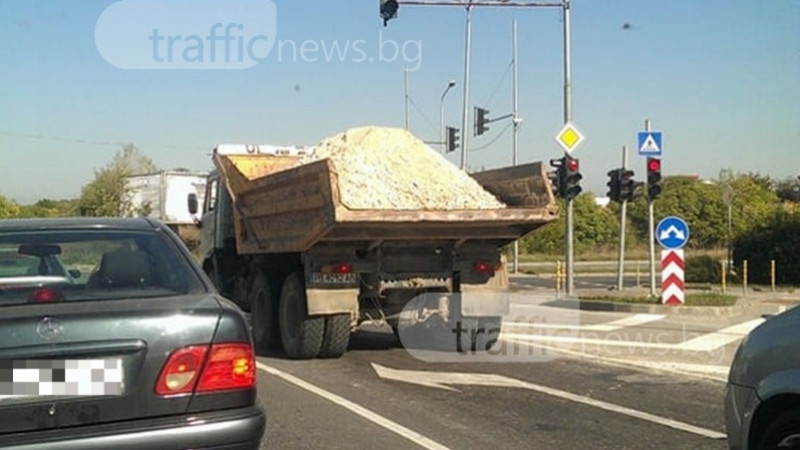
point(20, 380)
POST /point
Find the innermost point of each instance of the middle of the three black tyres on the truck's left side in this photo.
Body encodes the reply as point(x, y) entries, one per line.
point(301, 335)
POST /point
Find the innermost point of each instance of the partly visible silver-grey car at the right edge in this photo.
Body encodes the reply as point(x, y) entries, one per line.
point(762, 405)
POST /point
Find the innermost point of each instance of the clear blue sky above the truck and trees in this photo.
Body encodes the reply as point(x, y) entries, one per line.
point(719, 78)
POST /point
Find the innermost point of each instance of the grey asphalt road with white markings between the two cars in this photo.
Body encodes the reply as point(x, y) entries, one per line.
point(379, 396)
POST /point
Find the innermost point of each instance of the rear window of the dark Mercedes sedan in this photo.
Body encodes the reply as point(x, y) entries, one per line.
point(95, 265)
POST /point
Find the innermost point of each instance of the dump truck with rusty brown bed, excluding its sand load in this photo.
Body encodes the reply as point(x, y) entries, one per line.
point(277, 240)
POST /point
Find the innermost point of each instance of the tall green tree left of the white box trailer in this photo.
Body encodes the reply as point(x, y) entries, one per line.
point(106, 195)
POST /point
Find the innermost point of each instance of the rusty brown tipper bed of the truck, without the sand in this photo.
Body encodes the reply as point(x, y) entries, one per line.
point(280, 207)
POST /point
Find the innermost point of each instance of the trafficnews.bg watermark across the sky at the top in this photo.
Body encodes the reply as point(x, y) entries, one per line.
point(225, 35)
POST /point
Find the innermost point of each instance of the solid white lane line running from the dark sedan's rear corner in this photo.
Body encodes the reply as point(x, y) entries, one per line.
point(375, 418)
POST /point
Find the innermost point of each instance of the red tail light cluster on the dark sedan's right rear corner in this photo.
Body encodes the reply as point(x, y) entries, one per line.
point(202, 369)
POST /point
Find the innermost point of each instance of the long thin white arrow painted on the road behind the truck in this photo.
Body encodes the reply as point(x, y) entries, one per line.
point(484, 379)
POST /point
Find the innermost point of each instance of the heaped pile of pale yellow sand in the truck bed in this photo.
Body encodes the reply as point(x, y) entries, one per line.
point(389, 168)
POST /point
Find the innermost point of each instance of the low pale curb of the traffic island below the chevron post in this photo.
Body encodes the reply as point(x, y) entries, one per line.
point(592, 305)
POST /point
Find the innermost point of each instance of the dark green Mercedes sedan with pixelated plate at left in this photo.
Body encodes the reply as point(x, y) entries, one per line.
point(112, 337)
